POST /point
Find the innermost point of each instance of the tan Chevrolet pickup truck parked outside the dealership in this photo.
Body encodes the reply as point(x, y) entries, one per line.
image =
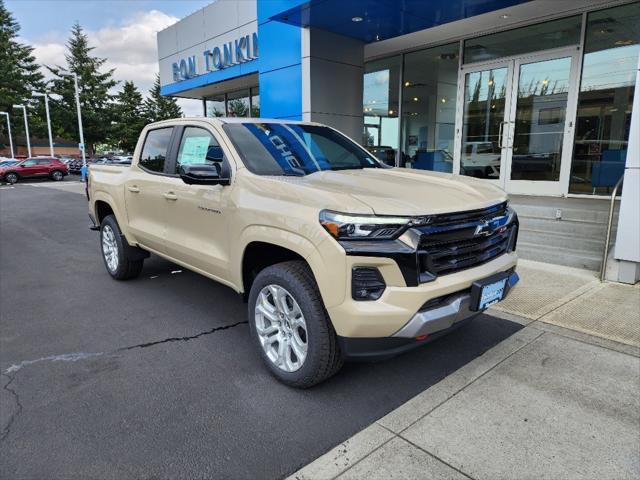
point(338, 255)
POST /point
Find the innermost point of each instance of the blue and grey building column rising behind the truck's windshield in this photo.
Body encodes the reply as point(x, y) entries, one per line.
point(309, 74)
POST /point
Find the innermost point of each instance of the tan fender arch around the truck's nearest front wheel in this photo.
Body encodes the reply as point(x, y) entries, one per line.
point(329, 277)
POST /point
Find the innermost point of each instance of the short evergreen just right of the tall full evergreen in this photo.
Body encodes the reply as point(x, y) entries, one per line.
point(128, 117)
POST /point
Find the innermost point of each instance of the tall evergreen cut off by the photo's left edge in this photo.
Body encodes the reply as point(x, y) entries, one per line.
point(19, 73)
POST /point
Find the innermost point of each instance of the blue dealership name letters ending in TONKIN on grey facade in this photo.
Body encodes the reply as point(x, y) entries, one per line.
point(241, 50)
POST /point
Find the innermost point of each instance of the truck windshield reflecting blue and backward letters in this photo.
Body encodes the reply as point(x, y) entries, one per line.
point(295, 149)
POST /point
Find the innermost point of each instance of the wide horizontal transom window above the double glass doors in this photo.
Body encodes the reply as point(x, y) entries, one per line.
point(543, 36)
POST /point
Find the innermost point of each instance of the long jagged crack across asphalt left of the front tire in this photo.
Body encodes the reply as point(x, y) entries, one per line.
point(74, 357)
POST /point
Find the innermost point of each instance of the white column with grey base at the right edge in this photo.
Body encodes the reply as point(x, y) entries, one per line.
point(627, 248)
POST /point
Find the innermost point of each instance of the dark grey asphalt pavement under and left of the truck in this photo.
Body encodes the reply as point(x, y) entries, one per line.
point(156, 377)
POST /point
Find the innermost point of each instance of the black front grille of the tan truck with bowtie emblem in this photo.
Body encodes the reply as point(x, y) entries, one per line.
point(452, 242)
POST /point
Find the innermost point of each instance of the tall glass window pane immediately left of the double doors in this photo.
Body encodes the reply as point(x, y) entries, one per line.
point(429, 108)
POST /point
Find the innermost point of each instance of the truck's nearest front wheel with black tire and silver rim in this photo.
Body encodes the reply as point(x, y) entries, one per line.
point(322, 357)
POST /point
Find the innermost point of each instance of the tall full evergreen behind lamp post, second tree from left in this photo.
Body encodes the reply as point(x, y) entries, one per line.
point(94, 86)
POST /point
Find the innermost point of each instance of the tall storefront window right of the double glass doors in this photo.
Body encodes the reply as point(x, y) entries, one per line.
point(605, 101)
